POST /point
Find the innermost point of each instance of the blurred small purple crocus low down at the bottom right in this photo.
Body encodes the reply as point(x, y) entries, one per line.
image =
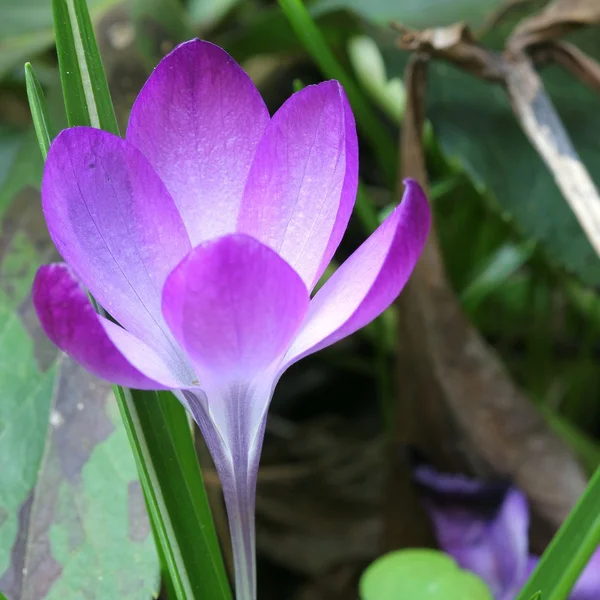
point(485, 527)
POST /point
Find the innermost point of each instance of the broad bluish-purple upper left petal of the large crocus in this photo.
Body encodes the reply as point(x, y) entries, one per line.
point(115, 224)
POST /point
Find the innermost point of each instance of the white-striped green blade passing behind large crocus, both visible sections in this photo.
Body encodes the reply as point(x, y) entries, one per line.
point(158, 429)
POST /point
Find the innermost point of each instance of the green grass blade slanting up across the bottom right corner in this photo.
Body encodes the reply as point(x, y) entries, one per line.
point(568, 553)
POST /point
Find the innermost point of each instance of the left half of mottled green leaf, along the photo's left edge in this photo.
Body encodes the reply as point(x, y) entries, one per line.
point(26, 381)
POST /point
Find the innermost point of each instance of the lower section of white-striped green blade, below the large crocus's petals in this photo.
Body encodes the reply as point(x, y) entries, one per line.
point(159, 433)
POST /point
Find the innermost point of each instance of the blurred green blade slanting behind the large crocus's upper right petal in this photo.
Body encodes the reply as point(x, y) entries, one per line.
point(369, 124)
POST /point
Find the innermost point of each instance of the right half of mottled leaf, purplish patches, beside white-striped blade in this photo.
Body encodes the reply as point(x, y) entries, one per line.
point(88, 534)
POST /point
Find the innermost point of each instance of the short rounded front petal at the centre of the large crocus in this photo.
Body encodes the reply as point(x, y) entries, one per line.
point(234, 305)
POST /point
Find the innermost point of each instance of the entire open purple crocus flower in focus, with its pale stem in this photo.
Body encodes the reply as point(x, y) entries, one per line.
point(203, 234)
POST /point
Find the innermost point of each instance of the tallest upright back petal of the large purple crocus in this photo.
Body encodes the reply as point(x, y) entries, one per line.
point(198, 120)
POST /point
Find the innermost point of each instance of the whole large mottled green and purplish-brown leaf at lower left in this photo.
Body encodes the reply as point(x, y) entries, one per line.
point(72, 525)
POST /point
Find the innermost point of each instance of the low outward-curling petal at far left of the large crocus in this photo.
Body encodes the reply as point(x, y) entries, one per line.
point(103, 348)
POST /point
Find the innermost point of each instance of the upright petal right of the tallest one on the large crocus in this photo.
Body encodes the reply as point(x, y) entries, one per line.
point(302, 184)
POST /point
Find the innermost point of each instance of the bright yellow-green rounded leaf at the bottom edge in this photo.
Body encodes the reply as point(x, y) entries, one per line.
point(420, 574)
